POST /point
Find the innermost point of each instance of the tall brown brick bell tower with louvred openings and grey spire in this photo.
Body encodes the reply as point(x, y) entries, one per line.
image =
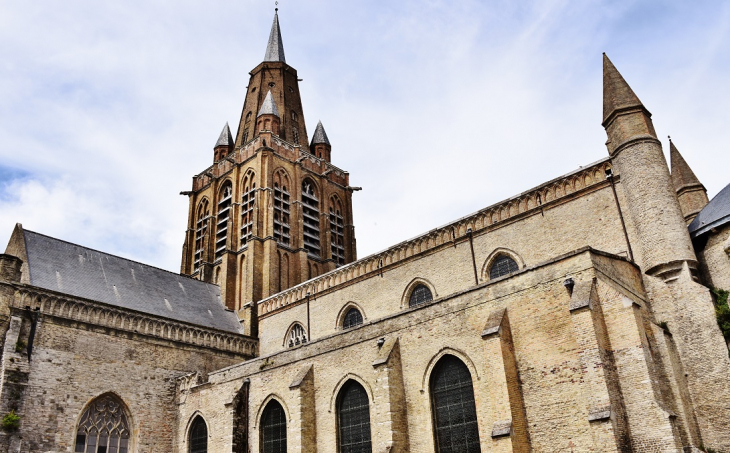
point(272, 211)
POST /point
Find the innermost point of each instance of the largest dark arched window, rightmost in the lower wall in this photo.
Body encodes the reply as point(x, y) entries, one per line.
point(453, 407)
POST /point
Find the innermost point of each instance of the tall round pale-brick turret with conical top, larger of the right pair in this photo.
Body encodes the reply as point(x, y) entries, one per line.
point(644, 176)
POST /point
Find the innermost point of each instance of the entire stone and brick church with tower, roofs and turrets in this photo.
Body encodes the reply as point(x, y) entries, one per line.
point(575, 316)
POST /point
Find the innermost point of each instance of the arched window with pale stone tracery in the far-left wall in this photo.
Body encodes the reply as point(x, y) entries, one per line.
point(103, 427)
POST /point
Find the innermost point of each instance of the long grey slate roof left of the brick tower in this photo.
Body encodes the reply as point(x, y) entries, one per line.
point(79, 271)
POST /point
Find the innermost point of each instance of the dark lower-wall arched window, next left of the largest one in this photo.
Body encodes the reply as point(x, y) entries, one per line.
point(353, 419)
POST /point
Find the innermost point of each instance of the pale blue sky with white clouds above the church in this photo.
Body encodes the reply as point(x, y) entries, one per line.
point(436, 108)
